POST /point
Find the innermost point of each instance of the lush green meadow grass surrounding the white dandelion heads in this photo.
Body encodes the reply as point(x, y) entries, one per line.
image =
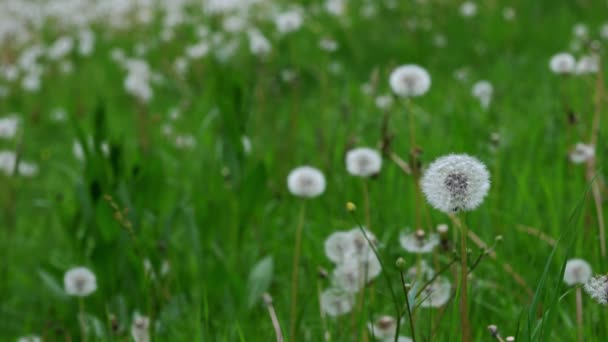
point(213, 211)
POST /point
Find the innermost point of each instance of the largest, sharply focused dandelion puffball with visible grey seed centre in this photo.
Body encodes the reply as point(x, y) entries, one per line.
point(456, 182)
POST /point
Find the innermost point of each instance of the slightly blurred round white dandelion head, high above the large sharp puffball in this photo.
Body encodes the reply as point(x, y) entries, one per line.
point(410, 80)
